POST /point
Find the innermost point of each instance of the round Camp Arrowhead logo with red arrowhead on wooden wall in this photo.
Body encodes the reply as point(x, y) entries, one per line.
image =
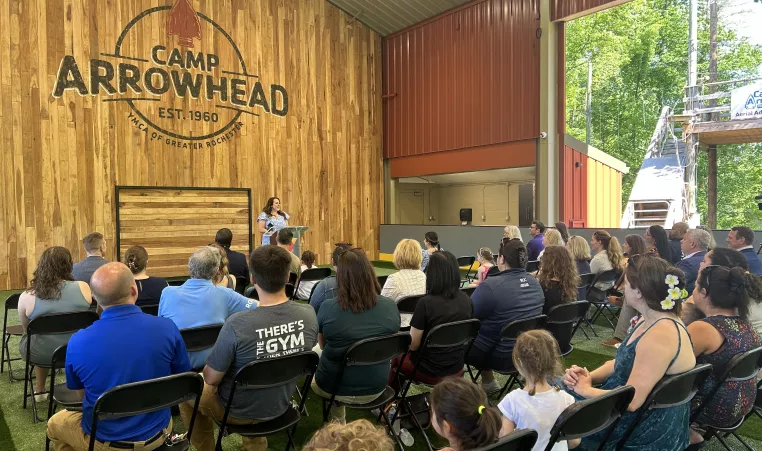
point(190, 90)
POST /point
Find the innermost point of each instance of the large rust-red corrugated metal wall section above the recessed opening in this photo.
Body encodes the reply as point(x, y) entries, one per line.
point(467, 78)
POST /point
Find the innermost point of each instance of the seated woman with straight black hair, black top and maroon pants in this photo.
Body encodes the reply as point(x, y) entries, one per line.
point(444, 303)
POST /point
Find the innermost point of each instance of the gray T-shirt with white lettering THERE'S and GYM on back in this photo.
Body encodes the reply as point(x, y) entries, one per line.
point(263, 333)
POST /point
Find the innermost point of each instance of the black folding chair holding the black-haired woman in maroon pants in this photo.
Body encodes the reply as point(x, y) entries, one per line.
point(455, 337)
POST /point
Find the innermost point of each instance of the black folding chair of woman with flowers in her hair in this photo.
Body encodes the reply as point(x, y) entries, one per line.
point(670, 391)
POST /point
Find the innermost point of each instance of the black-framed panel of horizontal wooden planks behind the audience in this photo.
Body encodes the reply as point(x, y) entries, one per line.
point(172, 223)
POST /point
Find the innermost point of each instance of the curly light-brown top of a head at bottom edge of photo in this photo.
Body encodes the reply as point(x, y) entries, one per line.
point(359, 435)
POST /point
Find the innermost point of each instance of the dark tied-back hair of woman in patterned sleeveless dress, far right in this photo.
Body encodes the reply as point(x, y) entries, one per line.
point(726, 288)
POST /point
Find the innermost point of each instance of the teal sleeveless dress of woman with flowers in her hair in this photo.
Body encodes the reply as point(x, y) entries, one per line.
point(659, 429)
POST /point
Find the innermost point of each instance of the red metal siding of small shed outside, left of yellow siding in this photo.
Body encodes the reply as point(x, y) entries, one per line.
point(573, 205)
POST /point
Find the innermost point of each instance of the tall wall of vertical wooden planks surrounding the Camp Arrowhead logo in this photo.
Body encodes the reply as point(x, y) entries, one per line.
point(61, 157)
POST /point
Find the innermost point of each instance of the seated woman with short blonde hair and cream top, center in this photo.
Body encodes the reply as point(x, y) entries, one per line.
point(409, 280)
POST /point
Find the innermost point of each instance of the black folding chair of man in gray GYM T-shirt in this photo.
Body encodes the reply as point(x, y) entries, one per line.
point(271, 373)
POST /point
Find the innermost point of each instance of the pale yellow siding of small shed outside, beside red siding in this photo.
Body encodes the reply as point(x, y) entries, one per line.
point(604, 195)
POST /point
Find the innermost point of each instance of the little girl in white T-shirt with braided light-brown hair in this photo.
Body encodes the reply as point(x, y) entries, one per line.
point(539, 404)
